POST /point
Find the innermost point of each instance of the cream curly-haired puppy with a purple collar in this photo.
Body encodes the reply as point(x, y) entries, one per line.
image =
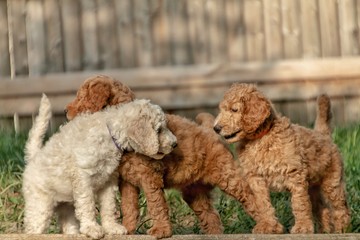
point(78, 165)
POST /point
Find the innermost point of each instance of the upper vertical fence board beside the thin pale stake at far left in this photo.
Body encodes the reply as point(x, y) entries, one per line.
point(17, 36)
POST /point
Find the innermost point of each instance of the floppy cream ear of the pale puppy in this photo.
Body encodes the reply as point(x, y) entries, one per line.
point(143, 137)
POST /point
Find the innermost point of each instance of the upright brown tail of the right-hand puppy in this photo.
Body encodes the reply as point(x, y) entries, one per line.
point(324, 115)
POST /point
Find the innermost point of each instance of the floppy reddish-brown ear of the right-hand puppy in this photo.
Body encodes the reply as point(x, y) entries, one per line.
point(257, 109)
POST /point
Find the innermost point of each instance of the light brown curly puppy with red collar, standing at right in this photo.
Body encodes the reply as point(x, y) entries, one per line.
point(277, 155)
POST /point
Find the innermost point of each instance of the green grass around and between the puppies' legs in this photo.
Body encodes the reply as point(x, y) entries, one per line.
point(183, 220)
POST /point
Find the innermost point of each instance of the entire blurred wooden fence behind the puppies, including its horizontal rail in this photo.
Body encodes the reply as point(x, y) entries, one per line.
point(181, 54)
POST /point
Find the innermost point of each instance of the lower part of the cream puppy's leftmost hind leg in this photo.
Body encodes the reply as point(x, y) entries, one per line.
point(39, 209)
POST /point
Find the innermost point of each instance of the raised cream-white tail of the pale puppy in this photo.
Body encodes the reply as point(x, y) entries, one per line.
point(38, 130)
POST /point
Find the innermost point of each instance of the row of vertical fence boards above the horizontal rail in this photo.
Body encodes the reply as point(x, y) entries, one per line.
point(45, 36)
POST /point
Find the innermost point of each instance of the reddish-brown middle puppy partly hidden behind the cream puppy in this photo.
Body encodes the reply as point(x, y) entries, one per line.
point(200, 162)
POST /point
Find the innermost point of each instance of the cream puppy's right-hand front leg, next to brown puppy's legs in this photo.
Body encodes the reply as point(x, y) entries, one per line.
point(107, 199)
